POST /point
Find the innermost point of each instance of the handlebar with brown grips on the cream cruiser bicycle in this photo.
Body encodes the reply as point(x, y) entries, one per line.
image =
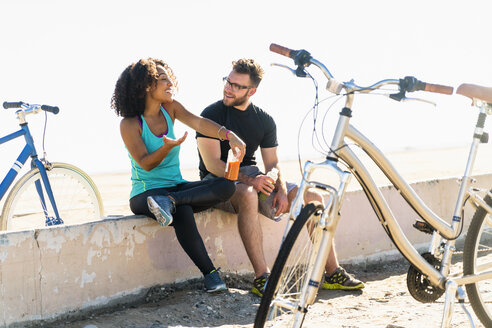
point(303, 58)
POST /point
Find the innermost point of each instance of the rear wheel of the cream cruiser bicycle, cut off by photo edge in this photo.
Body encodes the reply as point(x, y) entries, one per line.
point(478, 251)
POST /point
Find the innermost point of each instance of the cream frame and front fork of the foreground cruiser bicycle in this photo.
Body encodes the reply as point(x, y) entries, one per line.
point(341, 150)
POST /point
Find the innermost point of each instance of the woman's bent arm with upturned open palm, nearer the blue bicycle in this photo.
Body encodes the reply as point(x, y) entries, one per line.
point(131, 135)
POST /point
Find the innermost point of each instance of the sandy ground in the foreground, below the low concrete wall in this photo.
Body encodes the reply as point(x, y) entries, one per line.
point(385, 302)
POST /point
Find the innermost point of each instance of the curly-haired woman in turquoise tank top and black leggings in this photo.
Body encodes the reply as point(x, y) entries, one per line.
point(143, 96)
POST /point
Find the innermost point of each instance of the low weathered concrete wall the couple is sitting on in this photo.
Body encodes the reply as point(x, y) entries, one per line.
point(49, 273)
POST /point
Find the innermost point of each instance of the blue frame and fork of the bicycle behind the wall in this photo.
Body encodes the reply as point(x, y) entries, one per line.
point(29, 150)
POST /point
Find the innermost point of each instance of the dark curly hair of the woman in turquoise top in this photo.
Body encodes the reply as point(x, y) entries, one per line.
point(128, 99)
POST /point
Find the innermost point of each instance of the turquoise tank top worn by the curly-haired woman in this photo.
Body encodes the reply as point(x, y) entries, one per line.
point(167, 173)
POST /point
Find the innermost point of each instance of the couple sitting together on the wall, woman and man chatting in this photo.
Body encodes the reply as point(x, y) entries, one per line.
point(144, 97)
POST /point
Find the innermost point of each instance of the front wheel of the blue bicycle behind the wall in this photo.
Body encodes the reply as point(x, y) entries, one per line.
point(77, 198)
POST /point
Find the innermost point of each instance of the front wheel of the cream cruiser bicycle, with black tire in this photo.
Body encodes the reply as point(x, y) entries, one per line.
point(291, 269)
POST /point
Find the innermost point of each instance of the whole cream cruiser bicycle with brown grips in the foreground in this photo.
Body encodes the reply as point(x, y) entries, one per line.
point(299, 266)
